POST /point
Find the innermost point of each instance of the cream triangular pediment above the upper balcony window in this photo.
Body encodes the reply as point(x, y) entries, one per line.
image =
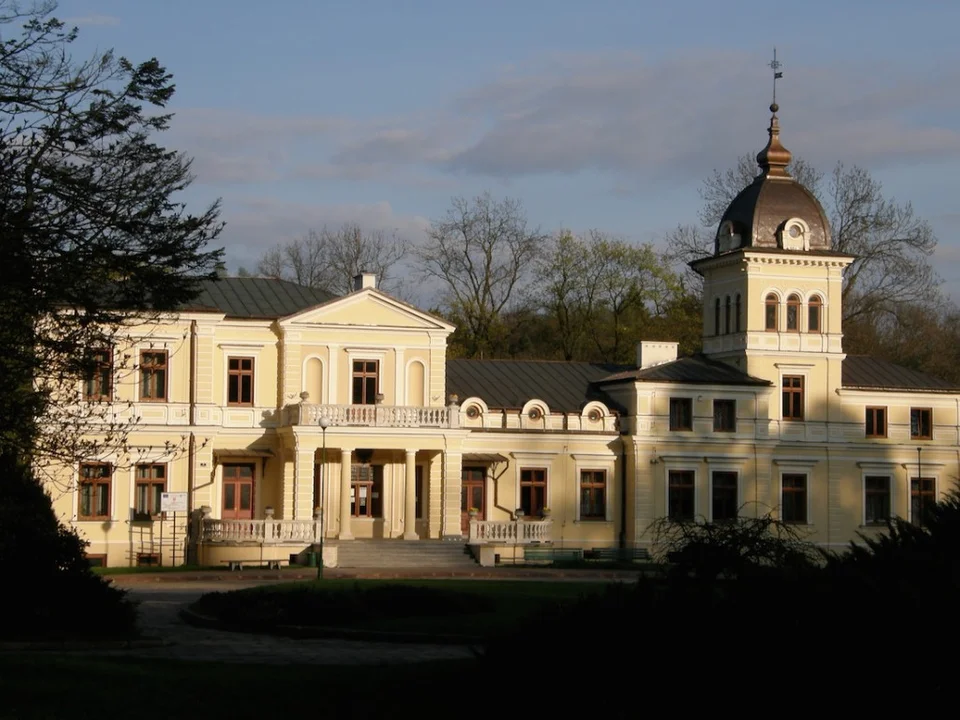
point(367, 308)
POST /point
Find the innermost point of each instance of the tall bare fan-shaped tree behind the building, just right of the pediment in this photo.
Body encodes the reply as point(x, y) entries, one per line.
point(482, 252)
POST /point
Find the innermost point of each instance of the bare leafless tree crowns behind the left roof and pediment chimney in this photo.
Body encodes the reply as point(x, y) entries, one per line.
point(330, 259)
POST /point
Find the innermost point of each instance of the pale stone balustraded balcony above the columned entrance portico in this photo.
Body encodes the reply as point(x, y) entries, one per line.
point(372, 415)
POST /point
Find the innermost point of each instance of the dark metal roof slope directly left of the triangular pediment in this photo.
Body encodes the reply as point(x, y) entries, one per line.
point(260, 298)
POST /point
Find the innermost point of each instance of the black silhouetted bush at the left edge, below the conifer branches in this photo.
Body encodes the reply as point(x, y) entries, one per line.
point(57, 597)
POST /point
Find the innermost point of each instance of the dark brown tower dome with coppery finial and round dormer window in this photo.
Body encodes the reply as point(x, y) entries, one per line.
point(774, 211)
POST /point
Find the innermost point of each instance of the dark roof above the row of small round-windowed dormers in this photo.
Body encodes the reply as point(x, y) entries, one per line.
point(564, 386)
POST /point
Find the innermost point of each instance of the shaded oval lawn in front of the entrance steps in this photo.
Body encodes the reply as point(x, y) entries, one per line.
point(470, 608)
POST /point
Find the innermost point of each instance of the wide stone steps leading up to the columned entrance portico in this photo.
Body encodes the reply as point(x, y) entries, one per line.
point(396, 554)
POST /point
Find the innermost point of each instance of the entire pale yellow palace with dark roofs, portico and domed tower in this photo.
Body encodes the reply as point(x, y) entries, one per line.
point(283, 421)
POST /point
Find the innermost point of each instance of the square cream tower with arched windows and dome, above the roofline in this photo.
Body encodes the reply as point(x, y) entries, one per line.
point(773, 286)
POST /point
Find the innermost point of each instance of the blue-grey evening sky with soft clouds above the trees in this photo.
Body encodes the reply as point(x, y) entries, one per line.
point(601, 114)
